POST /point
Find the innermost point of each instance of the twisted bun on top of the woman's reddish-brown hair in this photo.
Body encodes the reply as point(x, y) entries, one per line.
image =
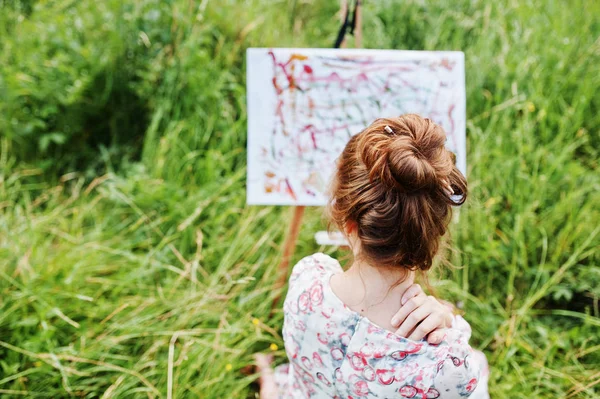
point(405, 156)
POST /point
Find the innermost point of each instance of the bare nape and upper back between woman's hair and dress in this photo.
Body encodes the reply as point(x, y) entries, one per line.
point(372, 291)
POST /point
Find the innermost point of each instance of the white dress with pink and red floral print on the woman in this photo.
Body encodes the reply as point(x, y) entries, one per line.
point(335, 352)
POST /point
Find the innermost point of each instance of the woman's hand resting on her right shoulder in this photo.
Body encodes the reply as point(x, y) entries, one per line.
point(422, 315)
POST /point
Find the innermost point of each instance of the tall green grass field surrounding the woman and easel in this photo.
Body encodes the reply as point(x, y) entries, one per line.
point(130, 265)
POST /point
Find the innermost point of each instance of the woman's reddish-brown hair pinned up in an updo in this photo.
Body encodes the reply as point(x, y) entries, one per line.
point(393, 181)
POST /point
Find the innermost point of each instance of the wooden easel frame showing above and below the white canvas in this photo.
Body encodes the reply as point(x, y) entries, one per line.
point(352, 26)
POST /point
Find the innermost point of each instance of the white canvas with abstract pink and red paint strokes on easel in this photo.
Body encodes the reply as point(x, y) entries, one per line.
point(305, 104)
